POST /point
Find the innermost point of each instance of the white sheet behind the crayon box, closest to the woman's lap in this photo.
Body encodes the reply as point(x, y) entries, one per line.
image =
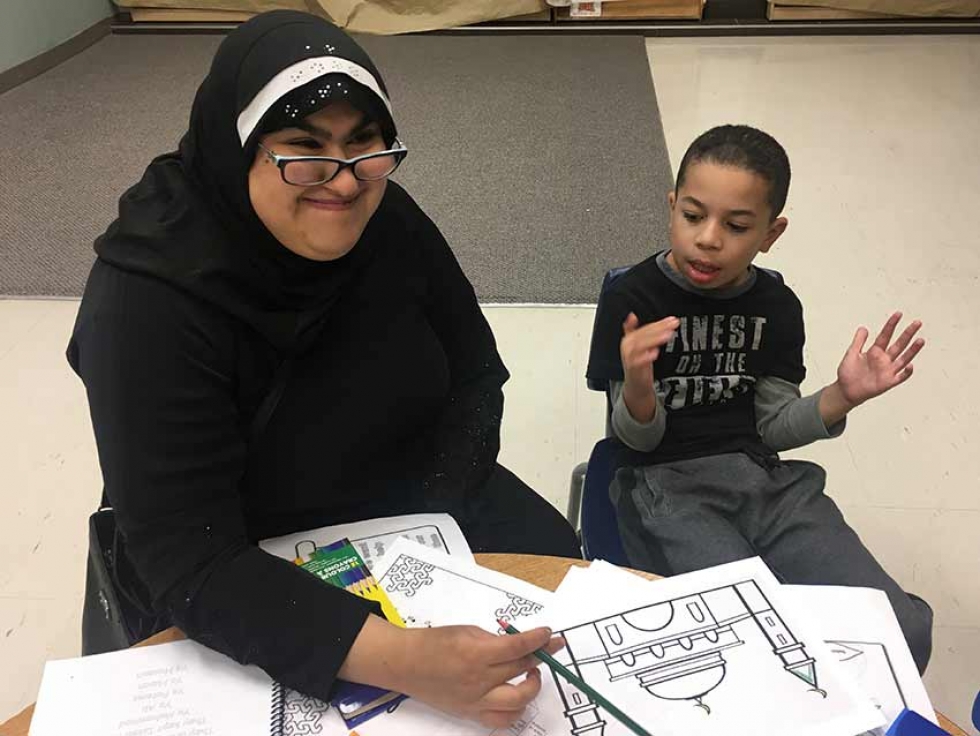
point(372, 538)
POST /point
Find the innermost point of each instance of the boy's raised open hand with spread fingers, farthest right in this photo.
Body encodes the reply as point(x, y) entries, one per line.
point(863, 375)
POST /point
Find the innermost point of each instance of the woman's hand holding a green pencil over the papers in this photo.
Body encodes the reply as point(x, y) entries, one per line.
point(461, 670)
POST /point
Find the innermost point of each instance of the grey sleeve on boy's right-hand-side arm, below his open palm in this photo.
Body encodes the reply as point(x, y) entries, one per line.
point(786, 420)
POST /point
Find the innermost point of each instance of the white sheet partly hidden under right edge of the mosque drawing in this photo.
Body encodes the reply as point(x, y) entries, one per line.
point(862, 632)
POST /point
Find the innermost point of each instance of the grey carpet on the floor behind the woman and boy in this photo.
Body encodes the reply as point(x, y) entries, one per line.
point(541, 158)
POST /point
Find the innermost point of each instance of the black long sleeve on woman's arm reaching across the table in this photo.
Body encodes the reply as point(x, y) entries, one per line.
point(160, 375)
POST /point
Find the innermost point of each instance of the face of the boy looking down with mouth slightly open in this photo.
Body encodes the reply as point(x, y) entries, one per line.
point(720, 220)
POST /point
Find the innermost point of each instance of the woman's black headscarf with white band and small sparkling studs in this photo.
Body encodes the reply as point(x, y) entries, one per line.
point(190, 222)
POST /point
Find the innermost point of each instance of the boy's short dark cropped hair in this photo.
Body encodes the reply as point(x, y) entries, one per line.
point(744, 147)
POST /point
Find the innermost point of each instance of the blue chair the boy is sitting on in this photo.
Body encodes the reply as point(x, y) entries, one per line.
point(588, 498)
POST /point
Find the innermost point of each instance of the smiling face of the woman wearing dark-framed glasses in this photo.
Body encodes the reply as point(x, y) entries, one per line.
point(325, 221)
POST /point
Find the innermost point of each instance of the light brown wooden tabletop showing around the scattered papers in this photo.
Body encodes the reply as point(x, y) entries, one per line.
point(545, 572)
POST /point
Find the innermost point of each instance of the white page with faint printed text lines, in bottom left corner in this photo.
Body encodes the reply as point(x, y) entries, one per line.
point(177, 689)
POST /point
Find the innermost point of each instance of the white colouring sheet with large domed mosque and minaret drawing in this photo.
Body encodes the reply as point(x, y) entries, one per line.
point(714, 651)
